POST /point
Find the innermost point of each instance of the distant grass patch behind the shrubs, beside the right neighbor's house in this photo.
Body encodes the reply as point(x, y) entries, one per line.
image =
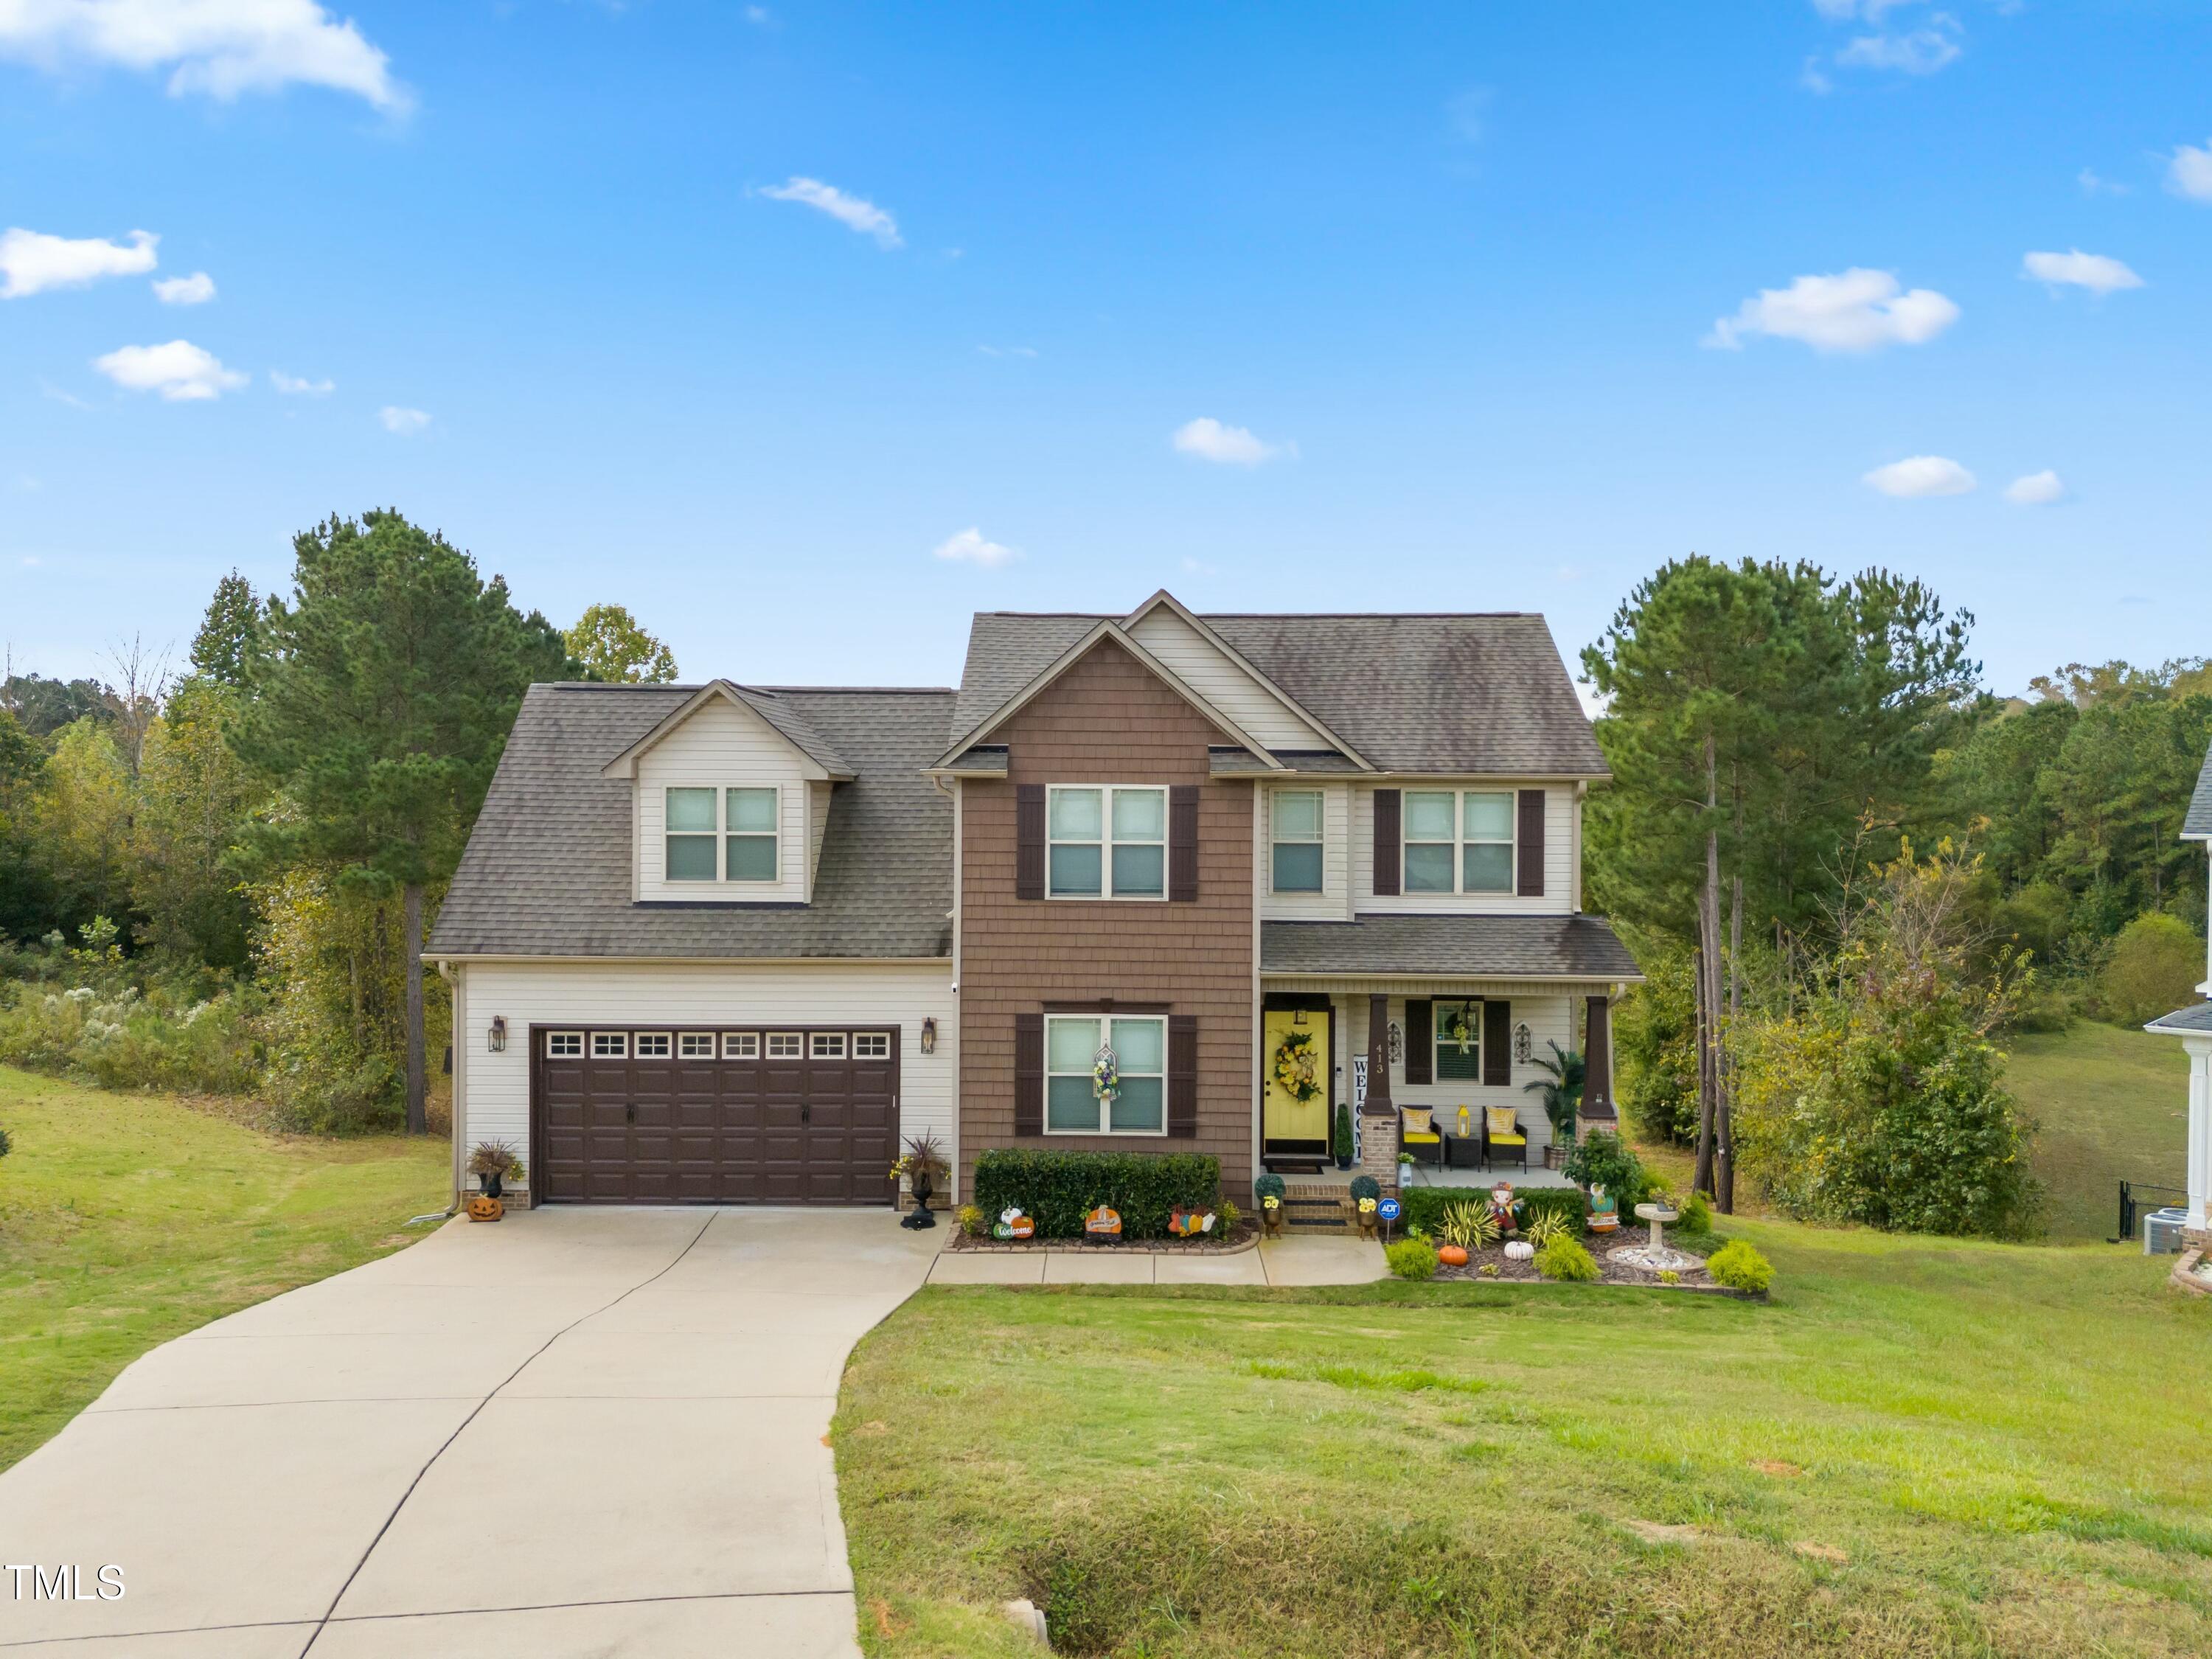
point(2114, 1105)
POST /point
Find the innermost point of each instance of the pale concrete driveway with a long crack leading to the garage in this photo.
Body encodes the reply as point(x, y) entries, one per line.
point(578, 1432)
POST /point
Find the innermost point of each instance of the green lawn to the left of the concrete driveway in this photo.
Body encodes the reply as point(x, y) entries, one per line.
point(127, 1220)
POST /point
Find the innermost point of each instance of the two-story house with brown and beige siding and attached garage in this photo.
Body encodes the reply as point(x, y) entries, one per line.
point(735, 943)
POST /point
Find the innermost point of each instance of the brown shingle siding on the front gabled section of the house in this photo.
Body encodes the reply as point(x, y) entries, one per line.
point(1109, 722)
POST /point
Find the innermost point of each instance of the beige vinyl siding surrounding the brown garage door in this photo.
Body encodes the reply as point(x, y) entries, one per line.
point(497, 1087)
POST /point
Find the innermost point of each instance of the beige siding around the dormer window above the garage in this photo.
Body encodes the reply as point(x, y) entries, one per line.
point(724, 749)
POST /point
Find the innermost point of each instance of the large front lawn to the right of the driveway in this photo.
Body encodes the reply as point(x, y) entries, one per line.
point(1919, 1448)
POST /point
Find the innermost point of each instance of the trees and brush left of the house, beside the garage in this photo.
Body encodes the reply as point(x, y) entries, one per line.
point(236, 868)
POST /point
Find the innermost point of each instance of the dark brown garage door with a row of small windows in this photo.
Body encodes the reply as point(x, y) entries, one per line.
point(729, 1116)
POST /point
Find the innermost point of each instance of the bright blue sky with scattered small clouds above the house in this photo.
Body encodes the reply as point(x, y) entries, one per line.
point(740, 315)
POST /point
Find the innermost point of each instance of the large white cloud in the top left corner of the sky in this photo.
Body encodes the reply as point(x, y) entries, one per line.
point(216, 48)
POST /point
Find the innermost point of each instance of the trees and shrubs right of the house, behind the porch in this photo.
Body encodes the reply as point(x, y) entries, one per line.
point(1799, 762)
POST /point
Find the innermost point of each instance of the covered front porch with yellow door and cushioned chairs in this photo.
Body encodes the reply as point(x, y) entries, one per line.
point(1432, 1039)
